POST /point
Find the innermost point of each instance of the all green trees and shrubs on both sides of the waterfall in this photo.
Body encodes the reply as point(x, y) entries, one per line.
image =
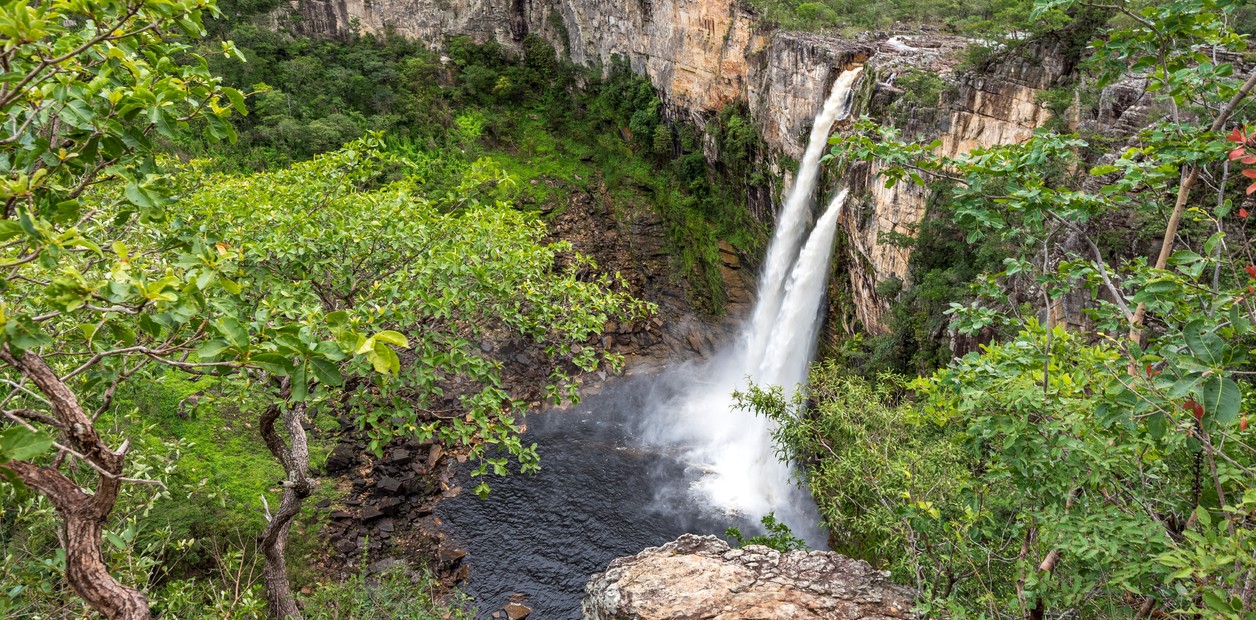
point(222, 242)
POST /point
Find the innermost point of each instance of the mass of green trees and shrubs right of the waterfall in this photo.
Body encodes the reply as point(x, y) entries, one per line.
point(1090, 454)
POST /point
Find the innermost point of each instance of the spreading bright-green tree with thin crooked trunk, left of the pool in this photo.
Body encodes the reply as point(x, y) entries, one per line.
point(330, 252)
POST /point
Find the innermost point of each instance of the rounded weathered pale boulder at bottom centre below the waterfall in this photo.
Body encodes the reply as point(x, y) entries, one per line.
point(700, 578)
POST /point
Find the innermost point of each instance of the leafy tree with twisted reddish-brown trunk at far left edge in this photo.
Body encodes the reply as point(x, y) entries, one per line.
point(87, 88)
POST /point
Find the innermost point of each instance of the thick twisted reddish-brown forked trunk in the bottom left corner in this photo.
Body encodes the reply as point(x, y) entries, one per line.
point(84, 514)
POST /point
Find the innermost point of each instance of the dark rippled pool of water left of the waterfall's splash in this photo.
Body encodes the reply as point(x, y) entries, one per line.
point(600, 496)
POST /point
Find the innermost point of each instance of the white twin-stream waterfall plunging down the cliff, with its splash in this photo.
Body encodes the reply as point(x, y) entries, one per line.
point(734, 447)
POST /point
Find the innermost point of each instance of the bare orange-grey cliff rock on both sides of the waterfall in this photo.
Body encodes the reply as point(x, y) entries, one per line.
point(705, 55)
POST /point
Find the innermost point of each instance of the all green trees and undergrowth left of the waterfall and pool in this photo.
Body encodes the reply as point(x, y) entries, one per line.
point(171, 329)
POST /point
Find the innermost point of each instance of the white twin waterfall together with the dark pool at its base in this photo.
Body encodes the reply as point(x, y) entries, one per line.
point(655, 457)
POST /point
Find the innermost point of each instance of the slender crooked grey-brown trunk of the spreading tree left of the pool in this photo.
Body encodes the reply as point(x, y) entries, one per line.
point(298, 486)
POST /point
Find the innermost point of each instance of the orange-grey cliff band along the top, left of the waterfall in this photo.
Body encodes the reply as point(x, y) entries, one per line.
point(701, 55)
